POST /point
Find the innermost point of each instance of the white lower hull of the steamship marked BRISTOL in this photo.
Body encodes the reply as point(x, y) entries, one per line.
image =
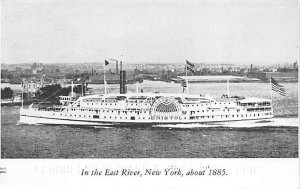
point(33, 116)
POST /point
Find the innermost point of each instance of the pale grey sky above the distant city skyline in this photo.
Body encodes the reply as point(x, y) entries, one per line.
point(170, 31)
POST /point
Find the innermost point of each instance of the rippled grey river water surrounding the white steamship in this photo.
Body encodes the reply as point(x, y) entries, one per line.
point(275, 139)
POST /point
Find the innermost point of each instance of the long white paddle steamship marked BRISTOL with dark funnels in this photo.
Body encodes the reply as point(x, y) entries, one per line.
point(147, 109)
